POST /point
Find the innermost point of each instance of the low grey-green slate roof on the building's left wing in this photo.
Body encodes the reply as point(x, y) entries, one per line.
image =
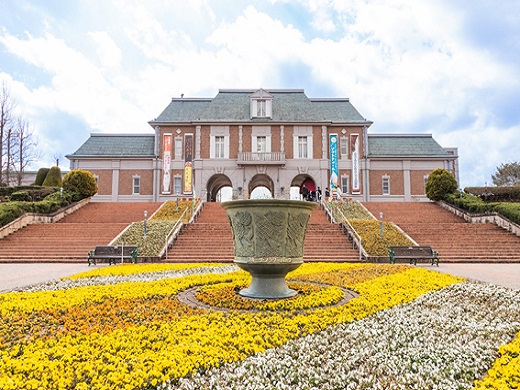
point(114, 145)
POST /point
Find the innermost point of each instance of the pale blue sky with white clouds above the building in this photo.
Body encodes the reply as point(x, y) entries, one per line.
point(449, 68)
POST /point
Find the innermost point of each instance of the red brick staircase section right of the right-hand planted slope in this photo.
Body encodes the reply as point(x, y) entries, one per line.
point(455, 239)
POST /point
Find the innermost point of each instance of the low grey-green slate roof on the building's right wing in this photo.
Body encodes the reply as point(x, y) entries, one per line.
point(404, 145)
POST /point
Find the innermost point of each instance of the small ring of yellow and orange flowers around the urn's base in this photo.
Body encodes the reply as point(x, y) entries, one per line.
point(310, 295)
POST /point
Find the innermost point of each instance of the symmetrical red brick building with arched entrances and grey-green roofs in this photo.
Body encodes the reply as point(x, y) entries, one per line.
point(277, 139)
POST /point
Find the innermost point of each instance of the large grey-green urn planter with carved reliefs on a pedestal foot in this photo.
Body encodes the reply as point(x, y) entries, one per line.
point(268, 237)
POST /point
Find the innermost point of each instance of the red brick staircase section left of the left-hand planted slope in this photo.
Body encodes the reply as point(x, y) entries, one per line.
point(70, 239)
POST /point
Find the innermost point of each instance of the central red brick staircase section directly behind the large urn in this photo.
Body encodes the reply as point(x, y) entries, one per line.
point(210, 239)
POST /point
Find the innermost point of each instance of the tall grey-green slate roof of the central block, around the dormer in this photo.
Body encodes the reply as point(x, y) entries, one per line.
point(233, 106)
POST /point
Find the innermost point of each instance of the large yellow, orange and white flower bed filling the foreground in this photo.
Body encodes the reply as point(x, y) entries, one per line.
point(409, 328)
